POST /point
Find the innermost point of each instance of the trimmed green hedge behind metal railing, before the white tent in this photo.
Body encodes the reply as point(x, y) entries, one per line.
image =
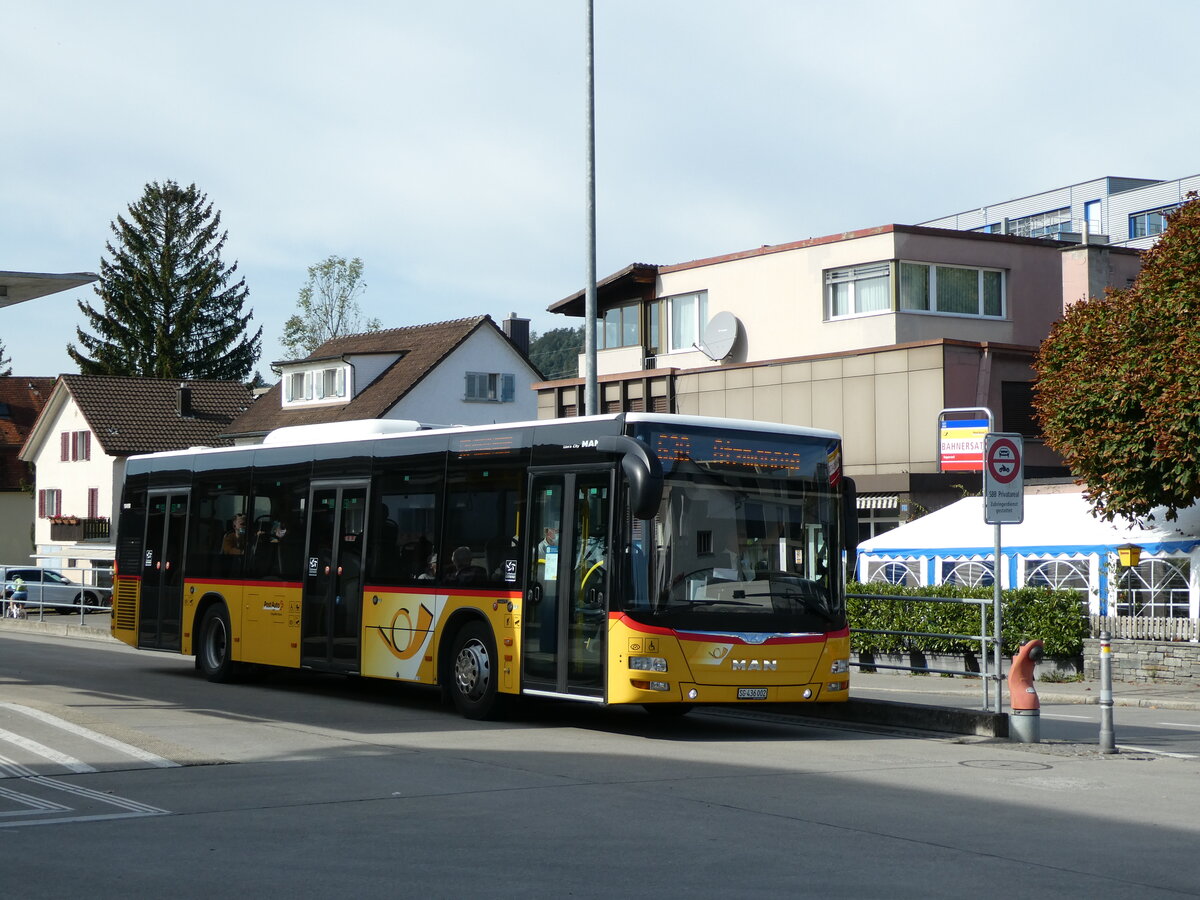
point(1058, 617)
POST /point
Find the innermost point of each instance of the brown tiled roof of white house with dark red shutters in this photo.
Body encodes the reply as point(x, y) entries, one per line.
point(141, 416)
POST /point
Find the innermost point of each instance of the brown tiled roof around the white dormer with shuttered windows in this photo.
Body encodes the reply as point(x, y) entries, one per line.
point(423, 347)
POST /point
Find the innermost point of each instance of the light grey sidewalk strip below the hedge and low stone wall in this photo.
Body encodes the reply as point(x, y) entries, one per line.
point(968, 693)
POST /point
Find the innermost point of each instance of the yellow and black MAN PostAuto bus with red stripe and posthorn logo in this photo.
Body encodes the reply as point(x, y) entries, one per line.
point(637, 559)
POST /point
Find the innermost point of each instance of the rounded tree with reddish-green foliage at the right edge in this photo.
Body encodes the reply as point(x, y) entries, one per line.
point(1119, 382)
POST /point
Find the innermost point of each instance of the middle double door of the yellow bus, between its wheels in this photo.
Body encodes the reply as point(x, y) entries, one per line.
point(332, 611)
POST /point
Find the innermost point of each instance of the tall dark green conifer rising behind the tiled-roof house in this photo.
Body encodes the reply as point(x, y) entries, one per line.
point(170, 309)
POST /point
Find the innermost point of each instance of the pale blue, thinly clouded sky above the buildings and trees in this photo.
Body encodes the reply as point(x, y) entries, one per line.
point(446, 143)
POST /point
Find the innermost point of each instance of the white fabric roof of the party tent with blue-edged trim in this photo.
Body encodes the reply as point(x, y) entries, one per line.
point(1054, 524)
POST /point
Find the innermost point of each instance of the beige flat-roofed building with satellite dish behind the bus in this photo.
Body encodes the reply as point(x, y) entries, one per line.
point(869, 334)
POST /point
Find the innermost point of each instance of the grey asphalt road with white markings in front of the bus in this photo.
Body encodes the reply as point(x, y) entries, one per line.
point(124, 775)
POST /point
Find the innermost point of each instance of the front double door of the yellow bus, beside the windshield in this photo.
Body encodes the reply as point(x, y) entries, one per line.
point(566, 621)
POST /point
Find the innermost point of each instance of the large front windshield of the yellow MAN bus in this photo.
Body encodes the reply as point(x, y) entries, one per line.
point(747, 538)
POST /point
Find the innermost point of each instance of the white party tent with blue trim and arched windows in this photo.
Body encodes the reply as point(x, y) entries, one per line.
point(1060, 544)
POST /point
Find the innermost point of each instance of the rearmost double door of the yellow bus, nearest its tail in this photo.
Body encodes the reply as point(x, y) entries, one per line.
point(163, 569)
